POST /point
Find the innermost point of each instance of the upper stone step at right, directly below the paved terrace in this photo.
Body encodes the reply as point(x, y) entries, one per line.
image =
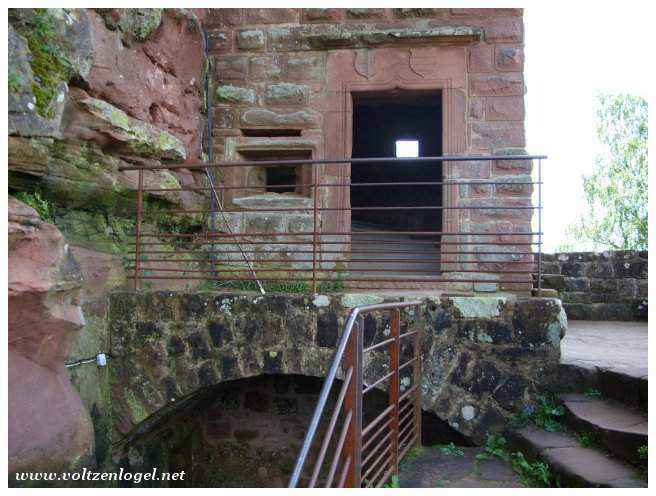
point(618, 428)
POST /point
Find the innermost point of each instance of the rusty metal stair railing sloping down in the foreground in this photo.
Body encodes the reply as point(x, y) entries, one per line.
point(364, 455)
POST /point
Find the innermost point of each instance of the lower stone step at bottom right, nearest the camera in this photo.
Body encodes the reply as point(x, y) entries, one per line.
point(574, 465)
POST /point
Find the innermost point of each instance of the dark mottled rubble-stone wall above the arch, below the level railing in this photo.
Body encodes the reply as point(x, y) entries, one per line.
point(483, 358)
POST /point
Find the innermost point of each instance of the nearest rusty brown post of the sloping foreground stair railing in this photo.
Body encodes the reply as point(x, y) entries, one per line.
point(353, 402)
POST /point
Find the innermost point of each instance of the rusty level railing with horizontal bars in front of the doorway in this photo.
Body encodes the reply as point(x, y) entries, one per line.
point(465, 229)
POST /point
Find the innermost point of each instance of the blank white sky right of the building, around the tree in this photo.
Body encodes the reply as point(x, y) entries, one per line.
point(571, 54)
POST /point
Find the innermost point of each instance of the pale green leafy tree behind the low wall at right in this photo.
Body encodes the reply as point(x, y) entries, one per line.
point(616, 191)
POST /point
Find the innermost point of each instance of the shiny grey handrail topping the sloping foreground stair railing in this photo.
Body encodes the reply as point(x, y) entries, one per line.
point(330, 379)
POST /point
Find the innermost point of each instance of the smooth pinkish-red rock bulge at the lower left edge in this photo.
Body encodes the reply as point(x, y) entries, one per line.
point(49, 428)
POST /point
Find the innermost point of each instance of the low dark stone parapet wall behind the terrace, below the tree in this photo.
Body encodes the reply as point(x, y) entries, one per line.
point(611, 285)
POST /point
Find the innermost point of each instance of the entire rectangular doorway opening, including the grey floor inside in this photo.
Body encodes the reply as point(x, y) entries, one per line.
point(399, 123)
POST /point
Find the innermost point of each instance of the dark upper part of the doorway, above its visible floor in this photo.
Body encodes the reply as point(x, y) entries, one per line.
point(383, 125)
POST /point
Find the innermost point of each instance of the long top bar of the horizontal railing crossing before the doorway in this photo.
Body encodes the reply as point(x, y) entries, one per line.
point(345, 160)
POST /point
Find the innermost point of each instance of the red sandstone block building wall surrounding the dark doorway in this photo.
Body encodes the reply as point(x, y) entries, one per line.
point(287, 69)
